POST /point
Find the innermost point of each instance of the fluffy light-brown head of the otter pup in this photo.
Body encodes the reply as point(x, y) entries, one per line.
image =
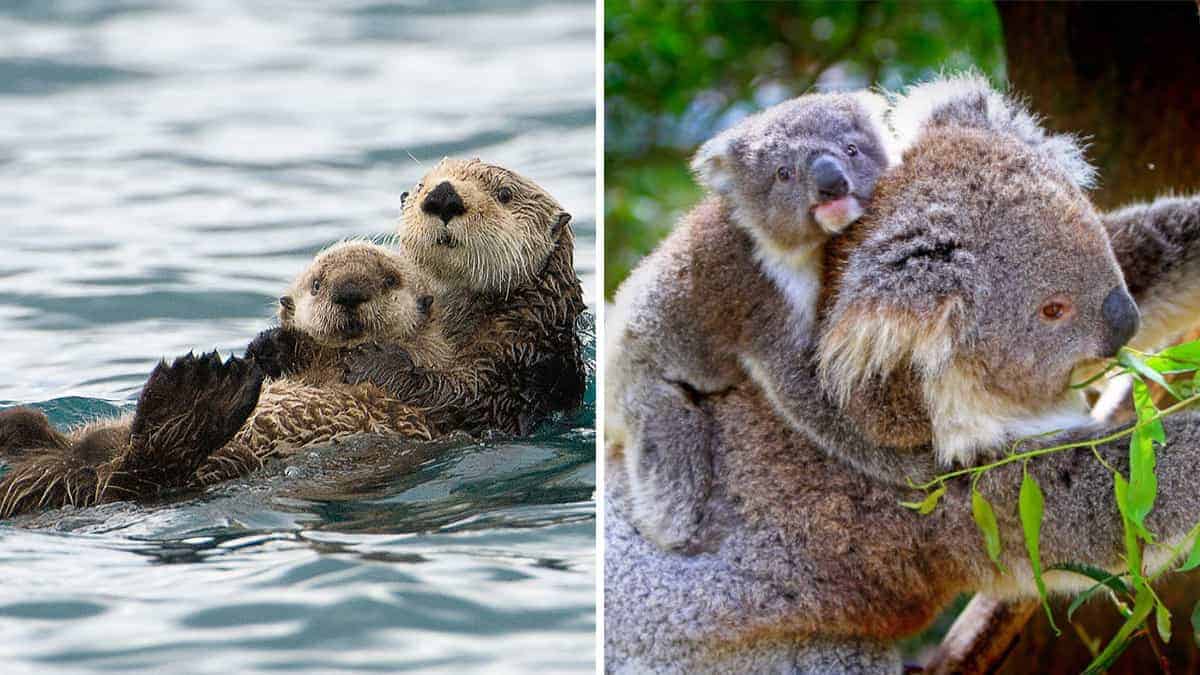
point(356, 292)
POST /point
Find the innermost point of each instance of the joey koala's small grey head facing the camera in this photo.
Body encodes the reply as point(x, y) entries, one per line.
point(801, 171)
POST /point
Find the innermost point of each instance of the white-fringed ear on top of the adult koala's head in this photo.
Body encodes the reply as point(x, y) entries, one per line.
point(969, 100)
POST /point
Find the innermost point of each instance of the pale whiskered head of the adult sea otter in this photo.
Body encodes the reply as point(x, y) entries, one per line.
point(479, 226)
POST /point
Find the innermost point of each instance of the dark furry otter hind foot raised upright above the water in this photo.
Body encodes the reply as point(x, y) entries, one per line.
point(193, 408)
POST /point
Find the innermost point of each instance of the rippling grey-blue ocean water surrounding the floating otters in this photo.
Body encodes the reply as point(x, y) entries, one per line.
point(166, 168)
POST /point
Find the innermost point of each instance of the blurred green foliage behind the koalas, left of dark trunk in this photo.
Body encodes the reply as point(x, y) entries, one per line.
point(679, 73)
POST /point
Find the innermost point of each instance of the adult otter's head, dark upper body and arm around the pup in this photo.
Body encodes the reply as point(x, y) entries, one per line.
point(501, 252)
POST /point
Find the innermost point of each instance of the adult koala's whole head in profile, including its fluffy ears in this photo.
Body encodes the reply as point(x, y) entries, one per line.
point(986, 271)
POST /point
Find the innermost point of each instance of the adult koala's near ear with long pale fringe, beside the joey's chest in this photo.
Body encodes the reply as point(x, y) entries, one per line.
point(902, 300)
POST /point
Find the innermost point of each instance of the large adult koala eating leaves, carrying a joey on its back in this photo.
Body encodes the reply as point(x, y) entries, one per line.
point(957, 310)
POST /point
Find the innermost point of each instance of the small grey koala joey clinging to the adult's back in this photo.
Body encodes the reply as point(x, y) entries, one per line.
point(677, 342)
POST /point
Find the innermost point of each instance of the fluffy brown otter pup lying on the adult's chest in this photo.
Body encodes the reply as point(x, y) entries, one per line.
point(352, 294)
